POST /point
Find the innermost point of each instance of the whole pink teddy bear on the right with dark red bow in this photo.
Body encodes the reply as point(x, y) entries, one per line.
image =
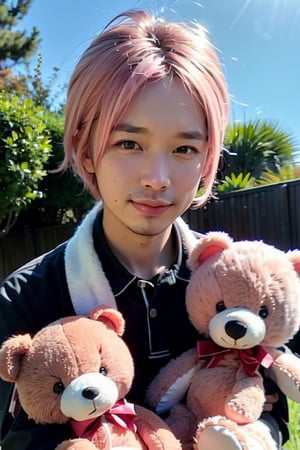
point(244, 299)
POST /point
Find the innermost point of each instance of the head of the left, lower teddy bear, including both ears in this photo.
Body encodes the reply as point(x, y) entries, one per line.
point(77, 367)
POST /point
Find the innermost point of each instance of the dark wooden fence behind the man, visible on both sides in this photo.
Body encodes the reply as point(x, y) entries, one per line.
point(271, 213)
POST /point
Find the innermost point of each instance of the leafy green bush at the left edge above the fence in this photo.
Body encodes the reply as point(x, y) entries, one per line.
point(24, 149)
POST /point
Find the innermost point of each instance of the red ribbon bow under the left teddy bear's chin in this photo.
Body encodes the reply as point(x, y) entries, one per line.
point(121, 414)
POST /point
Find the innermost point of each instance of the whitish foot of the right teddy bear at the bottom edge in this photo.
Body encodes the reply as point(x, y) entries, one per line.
point(218, 437)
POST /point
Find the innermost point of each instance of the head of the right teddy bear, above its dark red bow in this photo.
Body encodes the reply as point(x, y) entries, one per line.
point(243, 293)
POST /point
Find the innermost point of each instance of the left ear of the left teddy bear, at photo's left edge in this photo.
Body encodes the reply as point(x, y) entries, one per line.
point(11, 354)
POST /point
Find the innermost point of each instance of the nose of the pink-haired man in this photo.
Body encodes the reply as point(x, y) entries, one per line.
point(156, 173)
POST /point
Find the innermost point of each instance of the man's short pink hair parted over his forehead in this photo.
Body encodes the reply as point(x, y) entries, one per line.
point(134, 49)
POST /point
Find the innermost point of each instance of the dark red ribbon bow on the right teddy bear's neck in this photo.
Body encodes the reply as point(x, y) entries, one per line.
point(251, 358)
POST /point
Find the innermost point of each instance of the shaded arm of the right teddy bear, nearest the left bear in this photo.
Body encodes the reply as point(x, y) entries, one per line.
point(171, 384)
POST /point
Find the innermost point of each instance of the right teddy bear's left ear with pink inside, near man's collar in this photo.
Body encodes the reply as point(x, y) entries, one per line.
point(207, 246)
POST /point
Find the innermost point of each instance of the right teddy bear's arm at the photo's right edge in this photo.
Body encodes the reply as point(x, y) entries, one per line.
point(285, 371)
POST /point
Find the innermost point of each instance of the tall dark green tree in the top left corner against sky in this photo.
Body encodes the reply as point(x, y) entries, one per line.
point(15, 45)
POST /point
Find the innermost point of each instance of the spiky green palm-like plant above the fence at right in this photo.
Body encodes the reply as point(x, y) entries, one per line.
point(256, 147)
